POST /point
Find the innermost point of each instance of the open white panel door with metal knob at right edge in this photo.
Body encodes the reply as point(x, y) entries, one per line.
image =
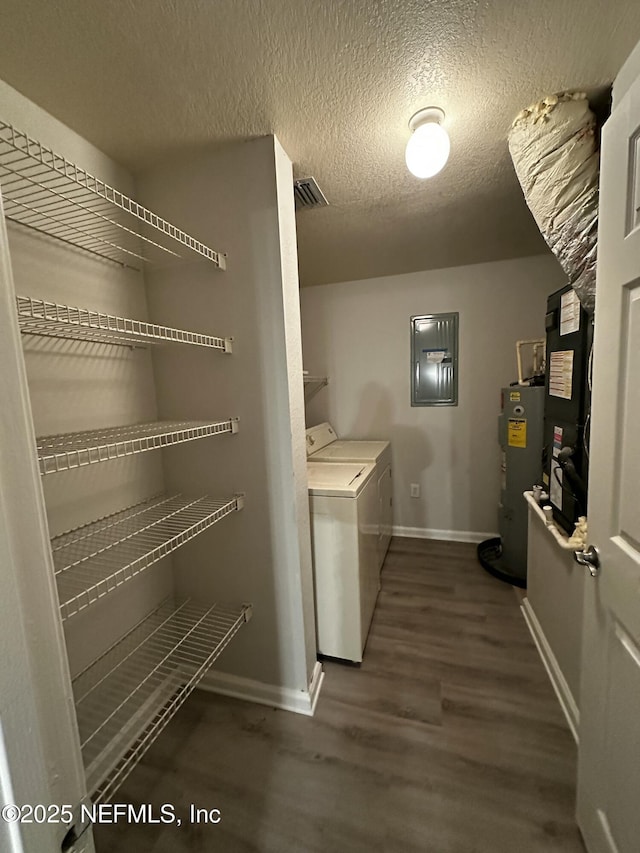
point(609, 752)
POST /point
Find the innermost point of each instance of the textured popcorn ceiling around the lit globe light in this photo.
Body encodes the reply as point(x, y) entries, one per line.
point(337, 81)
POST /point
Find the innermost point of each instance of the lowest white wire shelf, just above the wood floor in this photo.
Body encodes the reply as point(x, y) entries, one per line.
point(125, 699)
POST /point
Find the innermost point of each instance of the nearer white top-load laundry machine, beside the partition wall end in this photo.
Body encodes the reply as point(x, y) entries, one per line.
point(343, 503)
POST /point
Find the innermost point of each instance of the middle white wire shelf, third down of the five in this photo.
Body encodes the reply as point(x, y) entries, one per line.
point(78, 449)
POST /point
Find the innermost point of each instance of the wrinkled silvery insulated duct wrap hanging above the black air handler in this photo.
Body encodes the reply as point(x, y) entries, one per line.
point(553, 148)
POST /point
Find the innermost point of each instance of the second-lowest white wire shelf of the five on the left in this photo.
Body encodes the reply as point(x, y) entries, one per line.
point(93, 560)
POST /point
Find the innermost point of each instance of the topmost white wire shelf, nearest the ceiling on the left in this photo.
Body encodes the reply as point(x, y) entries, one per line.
point(45, 192)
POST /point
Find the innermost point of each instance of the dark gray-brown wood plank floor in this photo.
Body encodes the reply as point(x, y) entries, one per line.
point(448, 739)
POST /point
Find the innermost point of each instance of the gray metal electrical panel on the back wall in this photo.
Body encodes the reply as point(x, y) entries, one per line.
point(434, 360)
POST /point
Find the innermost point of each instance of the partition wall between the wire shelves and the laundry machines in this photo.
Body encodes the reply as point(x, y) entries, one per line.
point(241, 193)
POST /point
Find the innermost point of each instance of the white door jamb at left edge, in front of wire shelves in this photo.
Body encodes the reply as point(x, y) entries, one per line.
point(40, 762)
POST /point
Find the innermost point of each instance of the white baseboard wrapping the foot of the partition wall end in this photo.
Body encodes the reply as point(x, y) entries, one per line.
point(286, 698)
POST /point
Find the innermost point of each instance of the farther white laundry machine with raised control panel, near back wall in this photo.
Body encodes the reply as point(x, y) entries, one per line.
point(323, 445)
